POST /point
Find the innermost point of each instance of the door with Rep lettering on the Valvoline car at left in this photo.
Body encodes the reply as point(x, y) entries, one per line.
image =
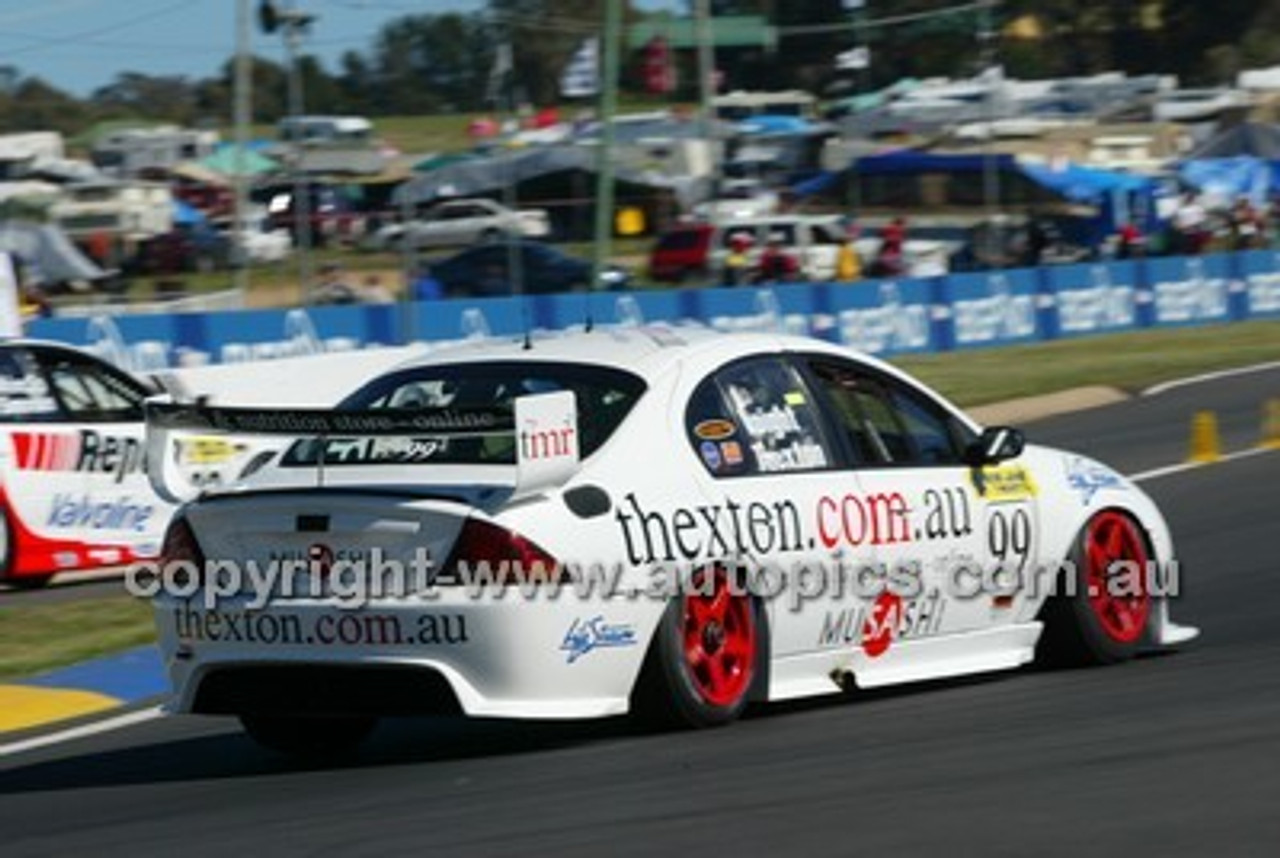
point(107, 499)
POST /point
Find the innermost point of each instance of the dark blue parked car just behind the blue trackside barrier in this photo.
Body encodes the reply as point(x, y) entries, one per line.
point(486, 272)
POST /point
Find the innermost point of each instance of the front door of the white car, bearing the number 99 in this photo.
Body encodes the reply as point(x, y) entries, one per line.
point(932, 519)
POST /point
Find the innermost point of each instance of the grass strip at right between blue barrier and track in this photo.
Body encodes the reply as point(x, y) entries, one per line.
point(1130, 362)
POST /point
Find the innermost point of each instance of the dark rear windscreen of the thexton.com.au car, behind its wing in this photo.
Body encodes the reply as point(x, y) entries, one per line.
point(605, 398)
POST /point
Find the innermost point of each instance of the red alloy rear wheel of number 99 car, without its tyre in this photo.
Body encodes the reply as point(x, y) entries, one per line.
point(720, 642)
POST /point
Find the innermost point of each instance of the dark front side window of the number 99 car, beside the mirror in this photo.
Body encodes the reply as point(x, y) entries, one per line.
point(886, 423)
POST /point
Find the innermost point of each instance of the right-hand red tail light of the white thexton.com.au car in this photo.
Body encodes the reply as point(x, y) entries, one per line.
point(488, 554)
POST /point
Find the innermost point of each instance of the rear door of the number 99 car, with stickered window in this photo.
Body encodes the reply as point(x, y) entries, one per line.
point(767, 463)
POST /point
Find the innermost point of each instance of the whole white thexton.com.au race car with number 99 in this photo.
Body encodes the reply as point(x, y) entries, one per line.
point(668, 522)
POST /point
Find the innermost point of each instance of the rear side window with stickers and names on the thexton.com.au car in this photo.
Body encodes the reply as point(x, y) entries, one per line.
point(757, 418)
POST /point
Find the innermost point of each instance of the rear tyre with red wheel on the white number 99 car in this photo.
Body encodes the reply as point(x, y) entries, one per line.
point(706, 660)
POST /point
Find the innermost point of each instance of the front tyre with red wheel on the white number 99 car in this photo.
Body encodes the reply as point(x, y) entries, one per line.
point(1101, 617)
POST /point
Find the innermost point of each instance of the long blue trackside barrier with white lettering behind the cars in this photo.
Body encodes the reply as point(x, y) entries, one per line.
point(892, 317)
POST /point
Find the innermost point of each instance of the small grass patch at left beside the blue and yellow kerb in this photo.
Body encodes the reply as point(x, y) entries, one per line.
point(35, 638)
